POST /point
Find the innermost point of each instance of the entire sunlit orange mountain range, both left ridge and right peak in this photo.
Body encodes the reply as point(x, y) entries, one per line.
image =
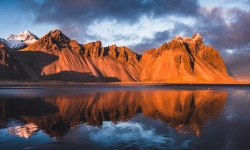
point(182, 60)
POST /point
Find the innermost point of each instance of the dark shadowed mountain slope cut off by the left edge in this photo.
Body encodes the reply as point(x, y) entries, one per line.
point(9, 67)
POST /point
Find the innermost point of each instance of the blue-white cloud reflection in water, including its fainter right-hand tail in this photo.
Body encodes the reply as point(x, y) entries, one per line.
point(133, 134)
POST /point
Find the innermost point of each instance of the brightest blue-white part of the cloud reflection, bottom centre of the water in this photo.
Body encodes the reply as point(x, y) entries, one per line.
point(127, 132)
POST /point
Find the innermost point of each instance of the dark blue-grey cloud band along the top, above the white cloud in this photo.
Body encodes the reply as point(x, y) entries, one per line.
point(86, 11)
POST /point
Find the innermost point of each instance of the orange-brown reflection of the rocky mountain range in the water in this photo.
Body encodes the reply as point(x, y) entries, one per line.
point(187, 111)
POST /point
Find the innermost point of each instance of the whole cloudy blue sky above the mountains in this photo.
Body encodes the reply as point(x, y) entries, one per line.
point(139, 24)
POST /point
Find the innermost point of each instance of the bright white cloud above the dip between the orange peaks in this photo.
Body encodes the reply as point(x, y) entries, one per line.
point(111, 31)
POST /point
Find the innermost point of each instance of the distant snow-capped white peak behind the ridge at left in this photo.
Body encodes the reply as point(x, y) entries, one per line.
point(27, 37)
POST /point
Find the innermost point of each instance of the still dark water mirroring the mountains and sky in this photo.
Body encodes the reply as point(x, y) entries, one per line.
point(125, 117)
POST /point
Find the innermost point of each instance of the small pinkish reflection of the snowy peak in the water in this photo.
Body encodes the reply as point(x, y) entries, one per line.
point(23, 131)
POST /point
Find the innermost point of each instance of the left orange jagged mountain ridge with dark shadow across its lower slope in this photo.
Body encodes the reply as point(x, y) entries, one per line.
point(71, 61)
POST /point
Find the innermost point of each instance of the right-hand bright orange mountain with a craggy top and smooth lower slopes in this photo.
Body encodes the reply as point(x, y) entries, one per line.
point(184, 60)
